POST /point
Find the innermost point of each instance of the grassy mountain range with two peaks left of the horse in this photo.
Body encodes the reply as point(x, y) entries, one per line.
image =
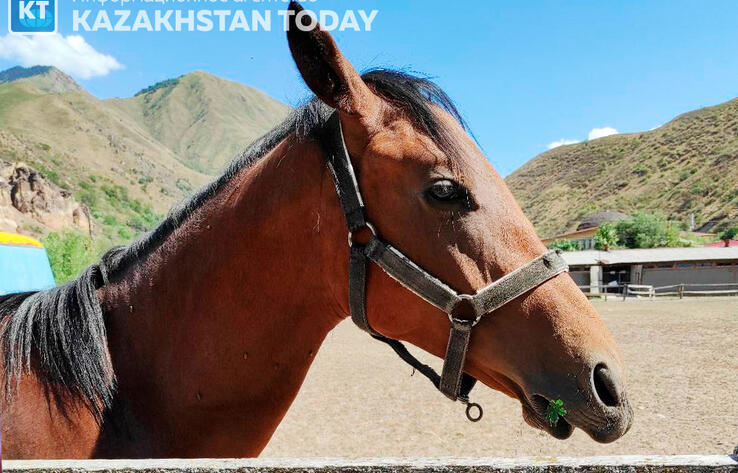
point(113, 156)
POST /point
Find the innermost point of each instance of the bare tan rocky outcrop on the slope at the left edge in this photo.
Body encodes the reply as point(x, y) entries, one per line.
point(26, 195)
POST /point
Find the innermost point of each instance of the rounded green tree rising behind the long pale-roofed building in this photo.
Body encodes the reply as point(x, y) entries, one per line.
point(643, 230)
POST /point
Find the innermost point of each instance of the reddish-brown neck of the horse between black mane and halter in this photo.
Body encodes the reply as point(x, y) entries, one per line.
point(225, 318)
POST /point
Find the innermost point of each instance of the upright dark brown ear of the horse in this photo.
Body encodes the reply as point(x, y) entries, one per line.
point(324, 69)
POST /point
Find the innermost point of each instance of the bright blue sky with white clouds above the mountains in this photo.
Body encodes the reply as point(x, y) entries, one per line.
point(527, 75)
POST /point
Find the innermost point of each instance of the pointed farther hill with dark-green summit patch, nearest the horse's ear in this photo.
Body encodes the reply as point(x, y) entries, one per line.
point(203, 119)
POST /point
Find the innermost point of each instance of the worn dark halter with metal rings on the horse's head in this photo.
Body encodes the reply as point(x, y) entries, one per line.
point(452, 381)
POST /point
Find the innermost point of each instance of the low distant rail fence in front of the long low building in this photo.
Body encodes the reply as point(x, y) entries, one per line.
point(625, 291)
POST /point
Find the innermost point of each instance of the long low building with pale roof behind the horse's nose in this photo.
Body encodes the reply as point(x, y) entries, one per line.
point(654, 266)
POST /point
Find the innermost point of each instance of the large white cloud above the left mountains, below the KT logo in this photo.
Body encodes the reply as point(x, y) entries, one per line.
point(71, 54)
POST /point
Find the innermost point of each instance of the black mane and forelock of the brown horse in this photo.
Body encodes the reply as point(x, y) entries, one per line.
point(60, 334)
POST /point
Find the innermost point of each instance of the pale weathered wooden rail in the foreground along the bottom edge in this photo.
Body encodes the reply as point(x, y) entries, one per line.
point(616, 464)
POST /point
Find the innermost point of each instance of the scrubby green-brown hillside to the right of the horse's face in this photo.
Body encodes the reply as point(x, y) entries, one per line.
point(687, 166)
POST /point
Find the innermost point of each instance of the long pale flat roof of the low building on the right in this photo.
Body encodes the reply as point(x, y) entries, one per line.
point(649, 255)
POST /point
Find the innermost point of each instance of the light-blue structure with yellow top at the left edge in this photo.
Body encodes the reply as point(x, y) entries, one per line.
point(24, 265)
